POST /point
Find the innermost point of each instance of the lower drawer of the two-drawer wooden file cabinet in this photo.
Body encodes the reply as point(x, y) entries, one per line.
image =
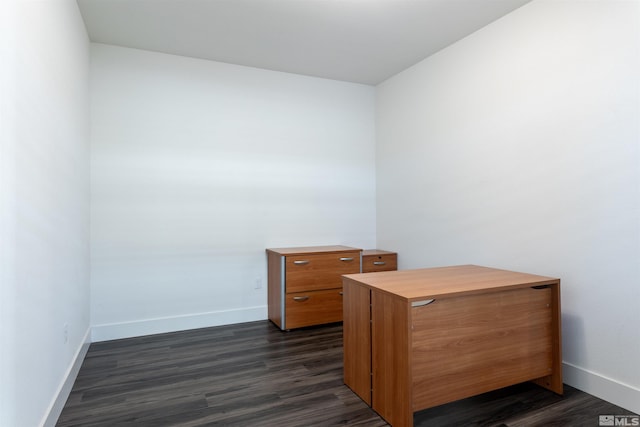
point(313, 308)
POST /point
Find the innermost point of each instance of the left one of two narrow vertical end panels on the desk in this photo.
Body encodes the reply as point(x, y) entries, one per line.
point(357, 339)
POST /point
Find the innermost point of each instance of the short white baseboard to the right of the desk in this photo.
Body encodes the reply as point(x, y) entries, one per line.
point(620, 394)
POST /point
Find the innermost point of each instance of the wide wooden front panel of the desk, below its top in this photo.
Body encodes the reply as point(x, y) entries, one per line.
point(469, 345)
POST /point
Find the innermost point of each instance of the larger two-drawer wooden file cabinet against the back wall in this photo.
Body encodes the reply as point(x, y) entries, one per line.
point(305, 284)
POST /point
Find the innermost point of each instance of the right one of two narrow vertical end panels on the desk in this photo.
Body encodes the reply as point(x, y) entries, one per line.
point(391, 358)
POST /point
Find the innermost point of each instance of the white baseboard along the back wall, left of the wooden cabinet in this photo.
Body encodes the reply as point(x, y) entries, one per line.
point(138, 328)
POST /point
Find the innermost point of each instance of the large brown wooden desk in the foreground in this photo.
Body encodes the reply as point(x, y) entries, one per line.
point(484, 329)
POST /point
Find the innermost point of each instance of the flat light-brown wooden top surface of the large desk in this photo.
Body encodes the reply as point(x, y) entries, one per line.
point(447, 281)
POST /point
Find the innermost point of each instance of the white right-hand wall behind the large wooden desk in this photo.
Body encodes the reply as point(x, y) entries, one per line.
point(517, 148)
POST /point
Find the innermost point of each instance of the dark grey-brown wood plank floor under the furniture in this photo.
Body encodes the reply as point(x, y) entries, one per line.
point(252, 374)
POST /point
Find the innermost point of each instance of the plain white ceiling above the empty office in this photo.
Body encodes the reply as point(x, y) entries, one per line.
point(363, 41)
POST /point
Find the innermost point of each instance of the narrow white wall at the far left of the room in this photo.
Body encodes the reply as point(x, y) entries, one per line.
point(44, 207)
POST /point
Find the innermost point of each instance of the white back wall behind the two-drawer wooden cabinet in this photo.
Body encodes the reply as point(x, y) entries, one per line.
point(199, 166)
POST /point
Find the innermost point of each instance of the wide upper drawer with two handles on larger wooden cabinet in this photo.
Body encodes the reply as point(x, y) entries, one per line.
point(309, 272)
